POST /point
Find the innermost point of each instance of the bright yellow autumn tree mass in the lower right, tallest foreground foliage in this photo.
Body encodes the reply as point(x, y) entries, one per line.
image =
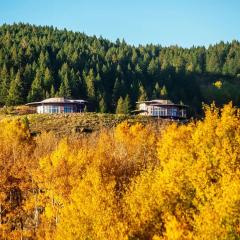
point(195, 192)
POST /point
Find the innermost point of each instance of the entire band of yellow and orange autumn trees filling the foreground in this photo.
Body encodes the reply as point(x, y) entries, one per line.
point(130, 182)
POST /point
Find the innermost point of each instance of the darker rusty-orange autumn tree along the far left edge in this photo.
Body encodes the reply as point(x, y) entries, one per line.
point(15, 182)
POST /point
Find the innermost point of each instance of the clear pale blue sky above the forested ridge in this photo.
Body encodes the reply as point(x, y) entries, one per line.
point(166, 22)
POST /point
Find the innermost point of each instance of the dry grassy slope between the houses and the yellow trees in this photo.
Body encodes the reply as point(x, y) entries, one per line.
point(74, 123)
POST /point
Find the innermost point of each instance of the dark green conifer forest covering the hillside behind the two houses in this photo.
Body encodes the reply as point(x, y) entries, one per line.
point(39, 62)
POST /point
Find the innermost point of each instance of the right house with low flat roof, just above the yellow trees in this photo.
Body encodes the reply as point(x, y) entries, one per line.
point(163, 109)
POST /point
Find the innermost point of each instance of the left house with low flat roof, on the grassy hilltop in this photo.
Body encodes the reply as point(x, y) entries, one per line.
point(59, 105)
